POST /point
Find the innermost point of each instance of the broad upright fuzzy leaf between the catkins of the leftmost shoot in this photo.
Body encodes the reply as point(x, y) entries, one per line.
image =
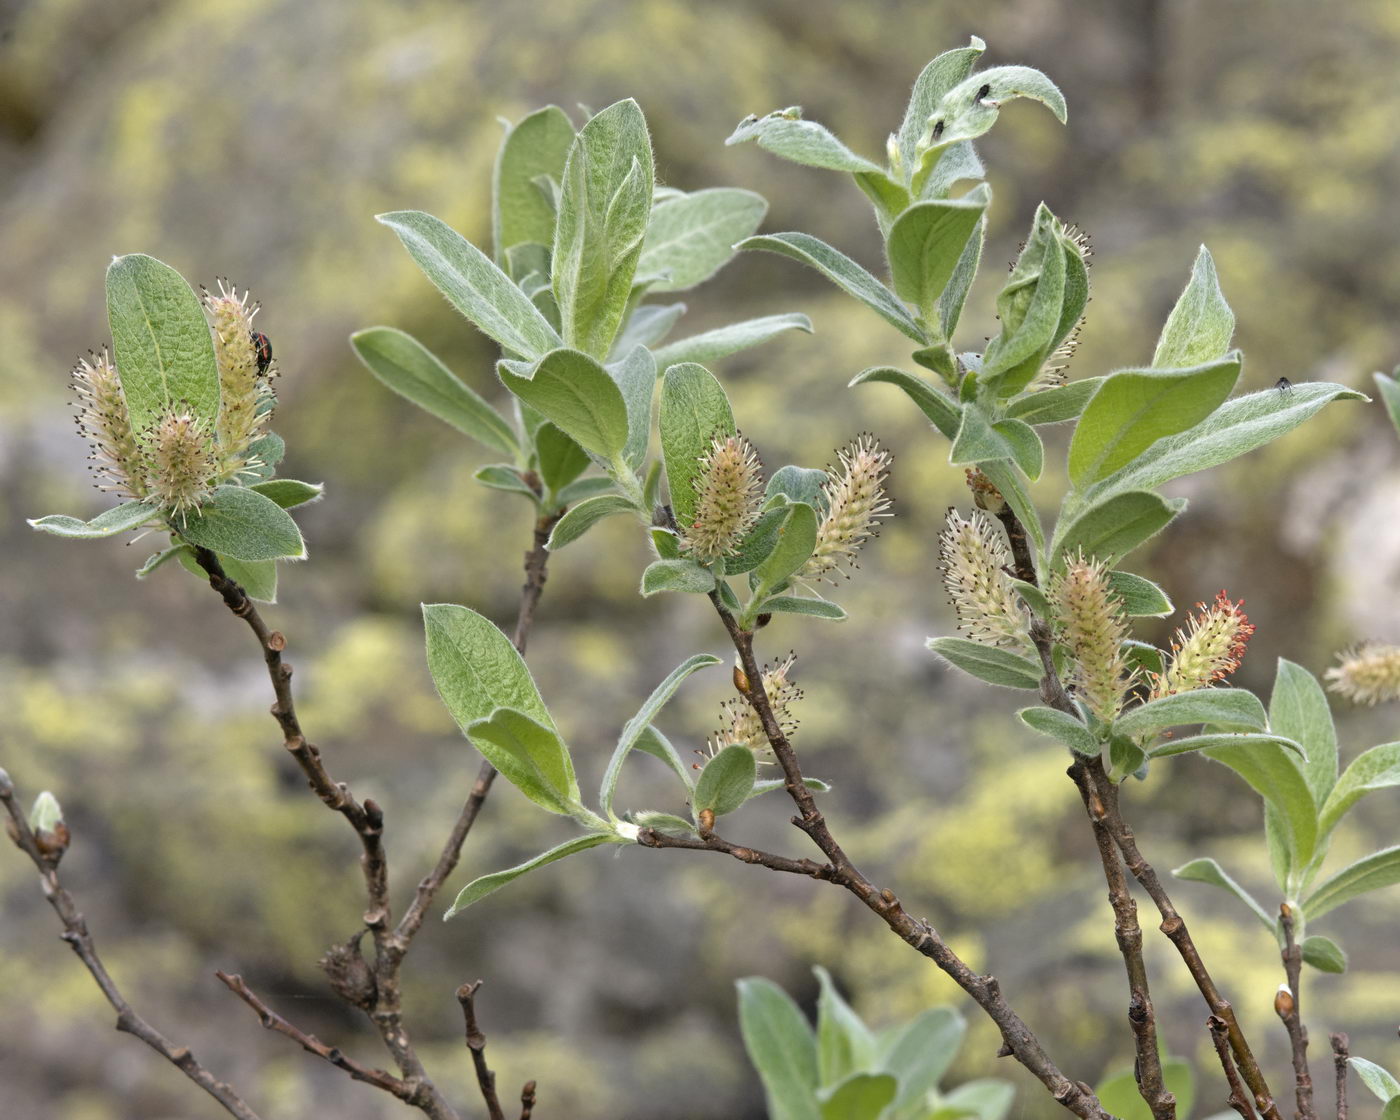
point(160, 339)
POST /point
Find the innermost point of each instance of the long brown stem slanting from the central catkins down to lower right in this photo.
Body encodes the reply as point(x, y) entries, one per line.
point(1018, 1039)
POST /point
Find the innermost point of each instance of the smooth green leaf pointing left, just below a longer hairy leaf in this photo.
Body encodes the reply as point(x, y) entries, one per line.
point(409, 369)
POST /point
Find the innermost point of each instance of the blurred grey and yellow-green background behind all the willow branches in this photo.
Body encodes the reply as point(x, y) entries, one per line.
point(255, 141)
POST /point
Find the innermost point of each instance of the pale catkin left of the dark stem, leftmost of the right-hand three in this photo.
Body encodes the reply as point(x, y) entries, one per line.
point(974, 559)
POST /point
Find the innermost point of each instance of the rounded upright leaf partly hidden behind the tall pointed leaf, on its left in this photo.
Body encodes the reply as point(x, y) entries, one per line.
point(534, 148)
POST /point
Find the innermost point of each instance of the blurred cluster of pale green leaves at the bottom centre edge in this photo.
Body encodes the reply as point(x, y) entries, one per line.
point(843, 1069)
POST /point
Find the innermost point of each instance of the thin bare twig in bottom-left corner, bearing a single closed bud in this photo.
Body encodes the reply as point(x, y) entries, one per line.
point(80, 940)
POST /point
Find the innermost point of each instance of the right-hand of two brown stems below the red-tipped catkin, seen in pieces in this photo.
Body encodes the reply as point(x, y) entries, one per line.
point(1174, 926)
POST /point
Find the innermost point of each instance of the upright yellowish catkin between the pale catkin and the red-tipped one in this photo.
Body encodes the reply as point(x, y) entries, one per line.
point(1094, 626)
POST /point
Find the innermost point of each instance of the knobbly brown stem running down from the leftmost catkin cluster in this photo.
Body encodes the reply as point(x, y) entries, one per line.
point(367, 821)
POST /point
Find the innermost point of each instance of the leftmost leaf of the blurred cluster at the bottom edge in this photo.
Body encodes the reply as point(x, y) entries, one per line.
point(782, 1048)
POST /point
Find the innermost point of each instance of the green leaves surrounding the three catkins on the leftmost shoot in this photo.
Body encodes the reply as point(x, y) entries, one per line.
point(164, 355)
